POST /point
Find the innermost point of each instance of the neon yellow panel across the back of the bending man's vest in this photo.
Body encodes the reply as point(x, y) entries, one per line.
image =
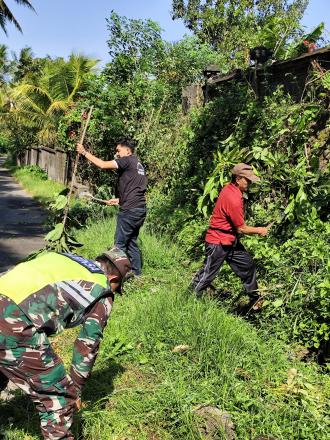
point(51, 268)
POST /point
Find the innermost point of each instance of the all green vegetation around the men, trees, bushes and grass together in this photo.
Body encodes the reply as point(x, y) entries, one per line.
point(229, 362)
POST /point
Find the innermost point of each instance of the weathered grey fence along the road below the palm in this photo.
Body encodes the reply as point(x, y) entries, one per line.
point(55, 162)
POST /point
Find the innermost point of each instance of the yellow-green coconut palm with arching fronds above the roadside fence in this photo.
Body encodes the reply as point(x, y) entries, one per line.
point(40, 105)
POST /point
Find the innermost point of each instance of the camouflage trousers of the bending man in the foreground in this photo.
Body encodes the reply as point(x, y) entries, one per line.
point(28, 360)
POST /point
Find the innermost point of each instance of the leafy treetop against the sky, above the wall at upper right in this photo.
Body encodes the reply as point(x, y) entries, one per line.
point(233, 27)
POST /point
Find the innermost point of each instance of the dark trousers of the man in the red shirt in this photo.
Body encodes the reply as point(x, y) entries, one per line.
point(238, 259)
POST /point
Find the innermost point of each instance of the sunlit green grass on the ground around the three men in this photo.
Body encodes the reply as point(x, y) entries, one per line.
point(141, 390)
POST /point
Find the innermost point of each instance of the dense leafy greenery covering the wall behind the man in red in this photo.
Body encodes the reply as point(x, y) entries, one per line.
point(287, 143)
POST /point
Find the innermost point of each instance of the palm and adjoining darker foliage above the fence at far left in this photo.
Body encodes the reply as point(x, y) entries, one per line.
point(40, 94)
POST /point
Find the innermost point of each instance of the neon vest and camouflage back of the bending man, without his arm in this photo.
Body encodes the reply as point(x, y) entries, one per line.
point(55, 290)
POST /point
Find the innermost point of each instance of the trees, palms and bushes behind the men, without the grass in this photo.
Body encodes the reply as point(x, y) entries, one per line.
point(189, 157)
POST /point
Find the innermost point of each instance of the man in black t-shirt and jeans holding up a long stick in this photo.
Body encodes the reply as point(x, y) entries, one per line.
point(132, 185)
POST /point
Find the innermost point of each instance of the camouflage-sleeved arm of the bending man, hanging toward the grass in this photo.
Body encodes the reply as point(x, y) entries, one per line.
point(87, 343)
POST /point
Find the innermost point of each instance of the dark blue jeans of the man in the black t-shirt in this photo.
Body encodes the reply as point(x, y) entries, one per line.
point(128, 227)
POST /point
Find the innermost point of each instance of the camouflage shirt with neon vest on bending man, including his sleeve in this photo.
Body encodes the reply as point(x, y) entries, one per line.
point(54, 292)
